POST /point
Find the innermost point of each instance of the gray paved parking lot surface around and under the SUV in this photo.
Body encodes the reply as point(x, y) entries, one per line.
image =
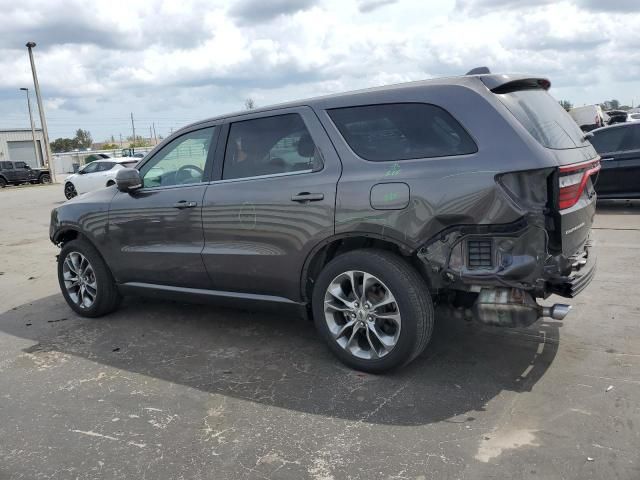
point(168, 391)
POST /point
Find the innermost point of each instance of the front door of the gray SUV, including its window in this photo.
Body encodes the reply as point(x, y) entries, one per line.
point(156, 231)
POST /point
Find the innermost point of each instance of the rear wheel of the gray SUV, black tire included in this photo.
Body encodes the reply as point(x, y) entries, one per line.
point(405, 324)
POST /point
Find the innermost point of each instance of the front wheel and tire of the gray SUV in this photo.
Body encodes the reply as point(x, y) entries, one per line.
point(100, 295)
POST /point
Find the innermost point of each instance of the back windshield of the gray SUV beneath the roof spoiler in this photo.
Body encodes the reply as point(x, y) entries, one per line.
point(544, 118)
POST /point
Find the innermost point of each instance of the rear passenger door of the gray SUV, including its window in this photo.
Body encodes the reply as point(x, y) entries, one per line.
point(272, 201)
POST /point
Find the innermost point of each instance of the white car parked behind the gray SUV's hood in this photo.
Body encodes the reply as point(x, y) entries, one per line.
point(95, 175)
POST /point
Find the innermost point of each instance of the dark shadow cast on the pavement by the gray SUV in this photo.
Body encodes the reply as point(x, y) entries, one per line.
point(279, 360)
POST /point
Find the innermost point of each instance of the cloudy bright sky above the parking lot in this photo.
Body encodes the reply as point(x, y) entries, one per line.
point(175, 62)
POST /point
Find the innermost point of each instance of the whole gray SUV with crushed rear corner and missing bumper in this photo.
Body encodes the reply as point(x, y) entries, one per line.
point(360, 209)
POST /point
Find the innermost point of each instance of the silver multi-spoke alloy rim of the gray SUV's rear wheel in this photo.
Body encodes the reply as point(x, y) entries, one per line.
point(362, 315)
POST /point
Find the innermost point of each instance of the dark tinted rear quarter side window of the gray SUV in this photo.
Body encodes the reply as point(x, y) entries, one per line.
point(401, 131)
